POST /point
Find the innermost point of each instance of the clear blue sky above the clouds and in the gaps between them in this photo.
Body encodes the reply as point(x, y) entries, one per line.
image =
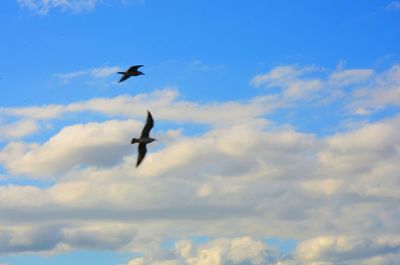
point(232, 40)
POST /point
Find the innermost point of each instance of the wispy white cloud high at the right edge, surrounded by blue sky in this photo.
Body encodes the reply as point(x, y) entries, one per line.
point(362, 91)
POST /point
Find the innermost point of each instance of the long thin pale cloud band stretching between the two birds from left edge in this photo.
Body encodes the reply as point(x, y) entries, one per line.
point(166, 103)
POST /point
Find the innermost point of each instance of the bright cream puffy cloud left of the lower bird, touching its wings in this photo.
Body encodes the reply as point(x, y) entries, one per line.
point(89, 144)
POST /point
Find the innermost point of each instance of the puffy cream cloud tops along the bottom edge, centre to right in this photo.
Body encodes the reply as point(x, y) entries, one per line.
point(325, 250)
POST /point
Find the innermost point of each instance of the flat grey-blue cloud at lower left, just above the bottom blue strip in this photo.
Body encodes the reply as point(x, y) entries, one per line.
point(52, 238)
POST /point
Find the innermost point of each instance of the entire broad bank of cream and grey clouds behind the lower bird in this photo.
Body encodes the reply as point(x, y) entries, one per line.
point(238, 180)
